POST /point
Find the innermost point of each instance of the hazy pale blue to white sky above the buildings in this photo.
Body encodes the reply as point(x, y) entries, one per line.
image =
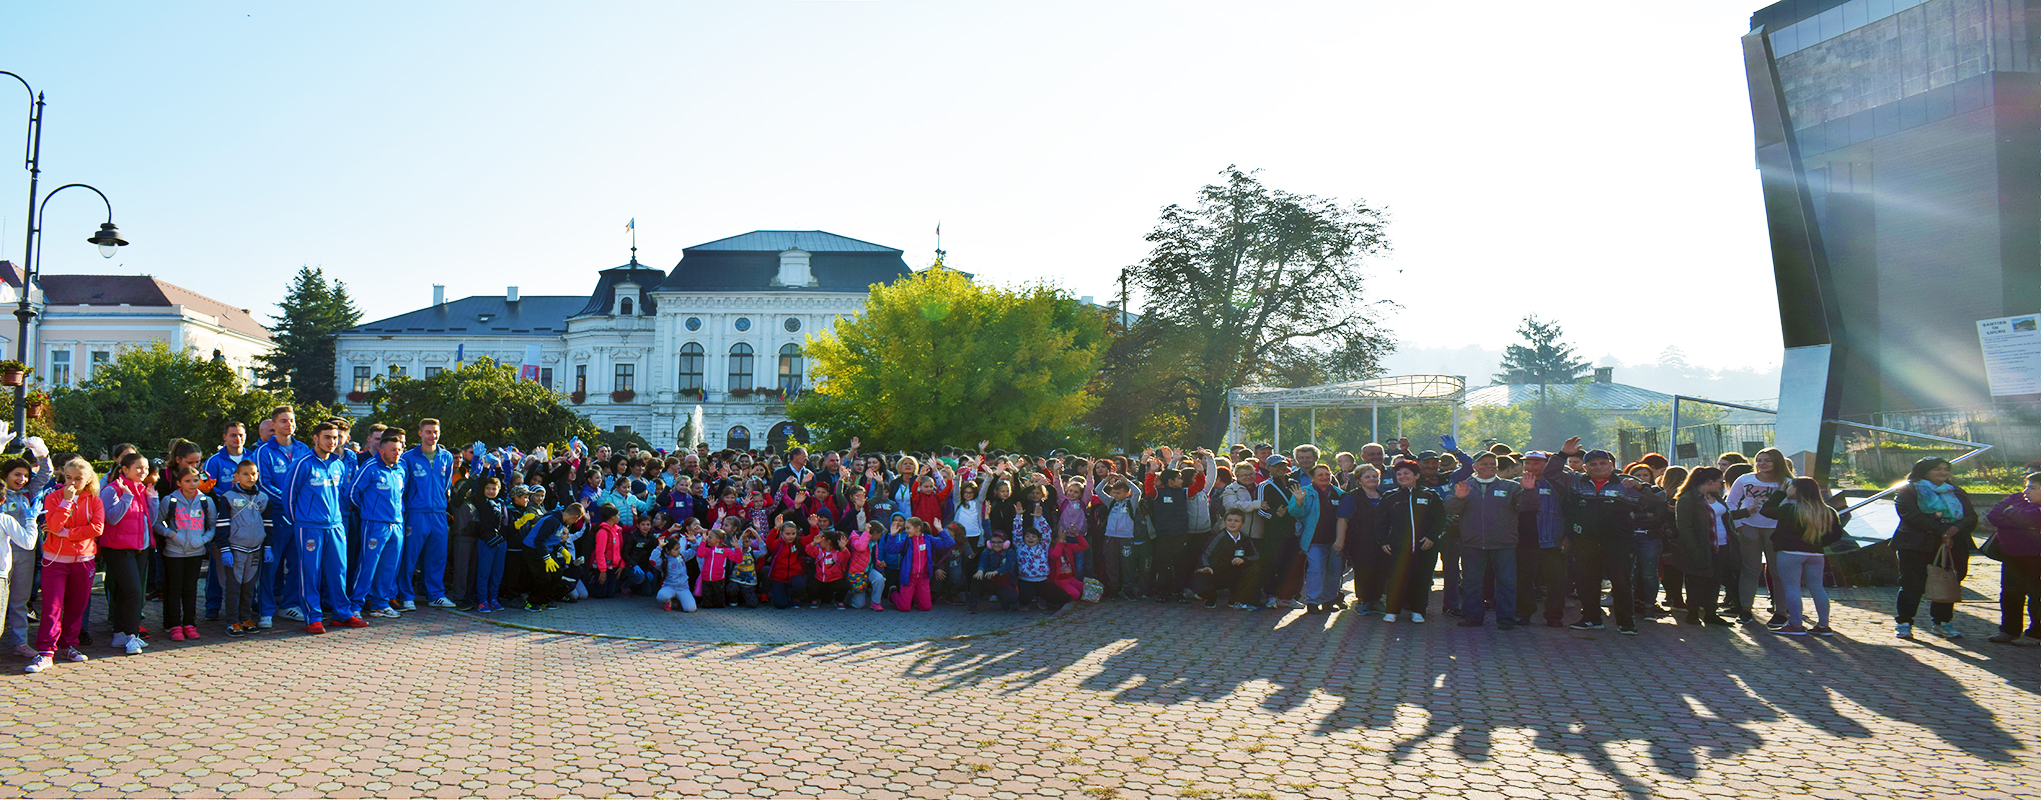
point(1585, 160)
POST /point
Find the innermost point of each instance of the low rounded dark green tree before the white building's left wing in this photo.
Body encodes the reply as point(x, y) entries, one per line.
point(483, 401)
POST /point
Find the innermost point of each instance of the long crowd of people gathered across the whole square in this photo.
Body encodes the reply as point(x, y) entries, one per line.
point(338, 532)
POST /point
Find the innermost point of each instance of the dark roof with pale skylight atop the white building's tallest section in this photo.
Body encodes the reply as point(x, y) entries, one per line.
point(750, 264)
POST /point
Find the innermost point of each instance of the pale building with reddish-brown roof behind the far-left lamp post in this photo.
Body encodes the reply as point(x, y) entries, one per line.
point(85, 321)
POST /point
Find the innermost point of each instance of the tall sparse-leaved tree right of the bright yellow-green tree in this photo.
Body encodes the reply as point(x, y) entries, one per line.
point(1254, 285)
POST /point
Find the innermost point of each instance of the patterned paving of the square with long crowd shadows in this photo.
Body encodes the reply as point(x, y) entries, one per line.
point(1109, 703)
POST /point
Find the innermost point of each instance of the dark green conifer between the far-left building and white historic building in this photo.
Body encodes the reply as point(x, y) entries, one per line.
point(307, 326)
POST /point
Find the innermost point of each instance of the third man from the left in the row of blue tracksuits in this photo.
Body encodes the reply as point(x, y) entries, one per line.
point(319, 536)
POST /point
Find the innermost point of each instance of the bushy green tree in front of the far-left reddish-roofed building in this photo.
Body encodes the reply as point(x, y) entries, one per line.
point(152, 395)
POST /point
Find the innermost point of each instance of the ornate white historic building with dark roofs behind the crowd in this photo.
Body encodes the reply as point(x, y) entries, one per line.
point(724, 332)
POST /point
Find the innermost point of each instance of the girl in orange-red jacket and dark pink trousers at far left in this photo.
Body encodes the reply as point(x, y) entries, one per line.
point(74, 519)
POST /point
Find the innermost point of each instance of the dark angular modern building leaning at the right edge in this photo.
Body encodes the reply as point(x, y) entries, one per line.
point(1901, 154)
